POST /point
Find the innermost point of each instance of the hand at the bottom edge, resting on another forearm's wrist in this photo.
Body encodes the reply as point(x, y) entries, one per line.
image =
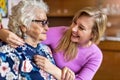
point(67, 74)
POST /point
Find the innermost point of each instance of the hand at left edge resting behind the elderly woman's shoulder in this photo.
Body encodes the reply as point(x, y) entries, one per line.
point(12, 39)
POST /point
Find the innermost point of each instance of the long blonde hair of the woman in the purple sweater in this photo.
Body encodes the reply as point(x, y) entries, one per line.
point(71, 49)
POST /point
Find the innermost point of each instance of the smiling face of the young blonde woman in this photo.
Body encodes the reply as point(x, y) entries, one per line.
point(81, 30)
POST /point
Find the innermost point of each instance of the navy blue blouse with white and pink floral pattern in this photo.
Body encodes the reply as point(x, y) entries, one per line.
point(18, 64)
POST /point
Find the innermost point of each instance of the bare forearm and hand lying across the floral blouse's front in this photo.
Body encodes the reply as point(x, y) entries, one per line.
point(44, 64)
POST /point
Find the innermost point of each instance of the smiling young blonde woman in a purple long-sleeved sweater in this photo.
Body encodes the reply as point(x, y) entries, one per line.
point(75, 48)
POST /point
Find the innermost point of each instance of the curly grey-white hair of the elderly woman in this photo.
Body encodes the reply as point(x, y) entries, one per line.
point(23, 13)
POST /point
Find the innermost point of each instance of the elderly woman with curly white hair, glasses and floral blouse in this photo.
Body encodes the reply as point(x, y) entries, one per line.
point(29, 21)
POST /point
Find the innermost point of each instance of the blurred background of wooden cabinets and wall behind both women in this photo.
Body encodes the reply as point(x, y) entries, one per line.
point(61, 13)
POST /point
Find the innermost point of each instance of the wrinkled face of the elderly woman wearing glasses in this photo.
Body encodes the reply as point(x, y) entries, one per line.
point(39, 26)
